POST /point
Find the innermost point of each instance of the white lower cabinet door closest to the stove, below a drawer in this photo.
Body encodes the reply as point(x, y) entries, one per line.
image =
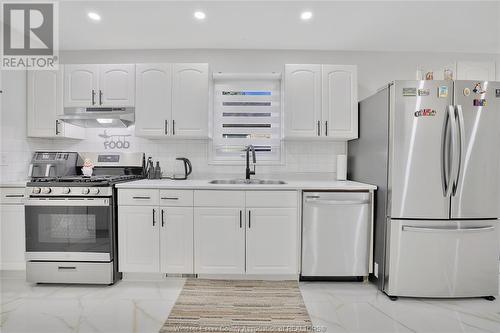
point(138, 239)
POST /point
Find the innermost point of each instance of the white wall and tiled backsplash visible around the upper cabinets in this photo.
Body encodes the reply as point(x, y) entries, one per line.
point(375, 69)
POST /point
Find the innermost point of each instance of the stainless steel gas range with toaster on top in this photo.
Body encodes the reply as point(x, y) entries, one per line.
point(71, 219)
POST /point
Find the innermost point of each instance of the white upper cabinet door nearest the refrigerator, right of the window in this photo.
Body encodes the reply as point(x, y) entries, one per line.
point(340, 102)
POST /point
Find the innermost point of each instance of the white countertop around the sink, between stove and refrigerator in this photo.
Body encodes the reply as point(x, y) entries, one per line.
point(203, 184)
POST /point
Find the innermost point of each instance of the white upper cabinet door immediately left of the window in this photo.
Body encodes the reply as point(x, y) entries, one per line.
point(190, 100)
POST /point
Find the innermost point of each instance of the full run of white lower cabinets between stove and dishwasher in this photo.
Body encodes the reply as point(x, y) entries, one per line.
point(208, 232)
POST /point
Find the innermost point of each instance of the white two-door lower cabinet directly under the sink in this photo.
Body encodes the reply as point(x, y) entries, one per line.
point(259, 239)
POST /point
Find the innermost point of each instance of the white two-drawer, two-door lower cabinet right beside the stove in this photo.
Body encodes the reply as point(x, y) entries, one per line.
point(152, 238)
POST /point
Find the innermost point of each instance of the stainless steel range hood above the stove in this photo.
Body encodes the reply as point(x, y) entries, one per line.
point(102, 117)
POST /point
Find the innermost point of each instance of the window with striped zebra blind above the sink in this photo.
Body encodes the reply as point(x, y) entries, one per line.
point(247, 111)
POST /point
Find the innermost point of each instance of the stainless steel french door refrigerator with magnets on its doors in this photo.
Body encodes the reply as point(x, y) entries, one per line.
point(433, 150)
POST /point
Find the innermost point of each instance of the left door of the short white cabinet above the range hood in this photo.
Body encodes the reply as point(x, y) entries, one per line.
point(81, 84)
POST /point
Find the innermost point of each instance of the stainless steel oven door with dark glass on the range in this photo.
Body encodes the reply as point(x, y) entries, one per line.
point(69, 229)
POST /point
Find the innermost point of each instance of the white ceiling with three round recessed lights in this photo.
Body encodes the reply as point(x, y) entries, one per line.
point(428, 26)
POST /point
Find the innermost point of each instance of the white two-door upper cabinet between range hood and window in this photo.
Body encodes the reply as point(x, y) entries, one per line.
point(172, 100)
